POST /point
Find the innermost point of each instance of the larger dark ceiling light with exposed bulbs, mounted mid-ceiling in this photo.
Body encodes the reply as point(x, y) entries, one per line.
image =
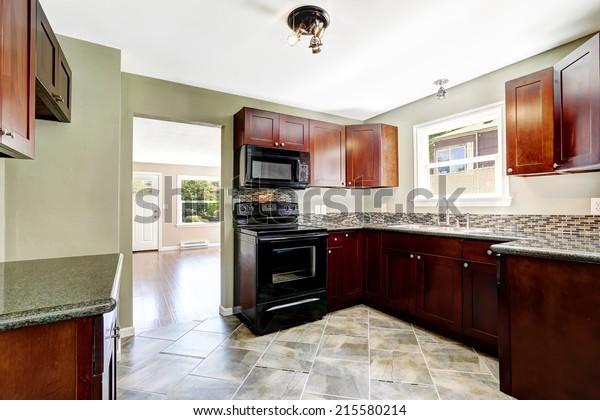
point(311, 21)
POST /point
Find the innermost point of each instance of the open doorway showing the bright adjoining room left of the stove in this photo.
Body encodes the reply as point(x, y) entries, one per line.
point(176, 234)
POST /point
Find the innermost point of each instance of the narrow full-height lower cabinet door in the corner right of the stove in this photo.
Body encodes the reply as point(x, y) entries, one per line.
point(352, 286)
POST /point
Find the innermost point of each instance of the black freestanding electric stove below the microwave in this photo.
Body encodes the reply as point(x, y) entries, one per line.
point(280, 267)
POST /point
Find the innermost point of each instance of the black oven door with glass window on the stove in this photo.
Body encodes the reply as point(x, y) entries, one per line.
point(291, 265)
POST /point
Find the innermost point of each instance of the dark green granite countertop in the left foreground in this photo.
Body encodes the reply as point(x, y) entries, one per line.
point(44, 291)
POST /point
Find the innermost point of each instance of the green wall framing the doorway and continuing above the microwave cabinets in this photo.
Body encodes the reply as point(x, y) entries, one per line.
point(152, 97)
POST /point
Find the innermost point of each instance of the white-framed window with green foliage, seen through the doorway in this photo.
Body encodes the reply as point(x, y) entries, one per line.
point(199, 201)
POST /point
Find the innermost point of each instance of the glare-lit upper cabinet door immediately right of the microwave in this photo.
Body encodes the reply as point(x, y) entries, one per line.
point(327, 154)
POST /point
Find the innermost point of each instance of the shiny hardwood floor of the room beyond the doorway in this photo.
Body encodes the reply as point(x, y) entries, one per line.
point(175, 286)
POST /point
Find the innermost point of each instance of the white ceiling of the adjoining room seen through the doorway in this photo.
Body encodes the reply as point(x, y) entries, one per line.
point(175, 143)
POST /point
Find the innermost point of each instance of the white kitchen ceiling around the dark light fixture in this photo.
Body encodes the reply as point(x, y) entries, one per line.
point(378, 54)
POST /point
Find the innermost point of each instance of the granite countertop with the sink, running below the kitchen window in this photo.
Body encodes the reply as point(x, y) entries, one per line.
point(577, 247)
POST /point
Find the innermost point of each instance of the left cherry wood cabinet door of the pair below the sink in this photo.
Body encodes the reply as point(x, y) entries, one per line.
point(398, 270)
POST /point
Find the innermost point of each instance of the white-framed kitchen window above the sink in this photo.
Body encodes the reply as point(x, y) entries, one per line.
point(463, 151)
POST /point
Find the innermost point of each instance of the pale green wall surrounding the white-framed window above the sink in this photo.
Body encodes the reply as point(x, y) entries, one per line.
point(567, 194)
